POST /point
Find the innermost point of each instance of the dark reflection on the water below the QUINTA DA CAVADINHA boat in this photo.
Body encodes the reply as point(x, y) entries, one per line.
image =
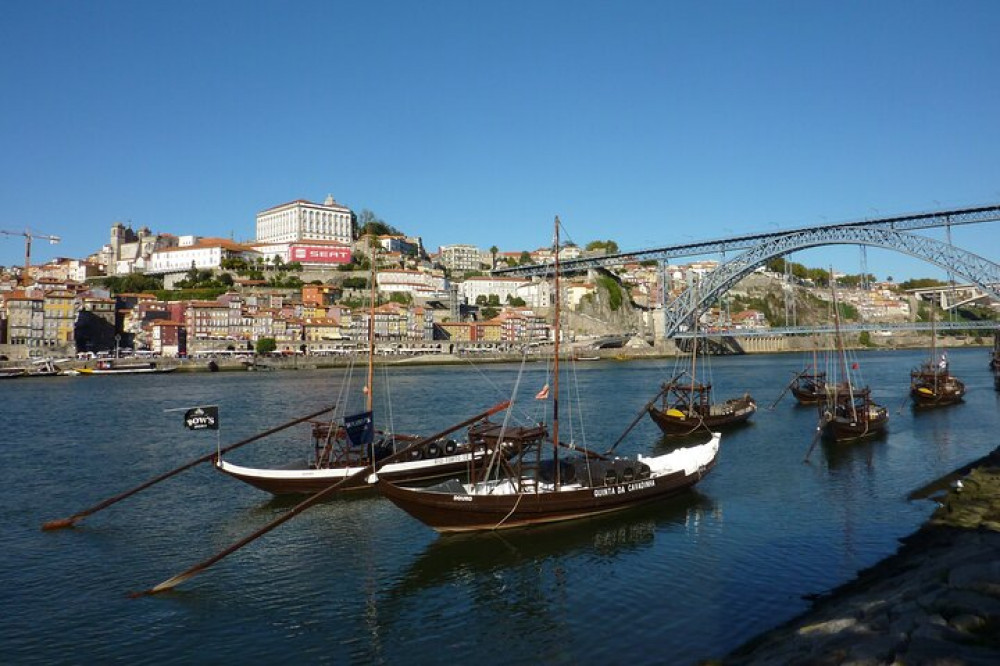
point(458, 556)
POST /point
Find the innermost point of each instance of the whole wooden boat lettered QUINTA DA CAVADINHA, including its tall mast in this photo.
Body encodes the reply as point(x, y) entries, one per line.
point(529, 489)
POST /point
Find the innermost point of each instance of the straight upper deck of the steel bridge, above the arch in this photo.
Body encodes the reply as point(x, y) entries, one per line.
point(901, 223)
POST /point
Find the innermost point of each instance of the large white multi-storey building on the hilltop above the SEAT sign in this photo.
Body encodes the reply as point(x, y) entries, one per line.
point(302, 220)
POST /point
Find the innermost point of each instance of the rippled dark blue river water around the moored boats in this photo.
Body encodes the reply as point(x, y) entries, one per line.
point(358, 581)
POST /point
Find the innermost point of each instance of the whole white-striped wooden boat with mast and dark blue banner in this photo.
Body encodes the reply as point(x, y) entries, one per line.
point(344, 446)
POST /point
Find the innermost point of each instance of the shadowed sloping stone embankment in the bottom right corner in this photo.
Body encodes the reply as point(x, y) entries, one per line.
point(936, 601)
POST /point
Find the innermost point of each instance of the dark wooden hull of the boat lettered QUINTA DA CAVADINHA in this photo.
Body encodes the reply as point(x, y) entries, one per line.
point(447, 511)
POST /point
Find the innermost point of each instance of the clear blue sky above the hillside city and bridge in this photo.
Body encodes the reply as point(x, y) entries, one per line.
point(473, 122)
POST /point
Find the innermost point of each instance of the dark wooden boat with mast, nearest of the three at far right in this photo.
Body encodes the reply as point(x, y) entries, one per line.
point(848, 412)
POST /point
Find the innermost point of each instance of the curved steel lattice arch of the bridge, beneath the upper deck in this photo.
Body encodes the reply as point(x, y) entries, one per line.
point(983, 273)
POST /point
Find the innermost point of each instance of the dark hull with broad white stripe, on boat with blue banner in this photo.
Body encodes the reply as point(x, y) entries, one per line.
point(308, 481)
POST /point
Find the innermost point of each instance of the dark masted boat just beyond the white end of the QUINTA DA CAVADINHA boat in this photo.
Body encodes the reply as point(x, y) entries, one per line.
point(687, 404)
